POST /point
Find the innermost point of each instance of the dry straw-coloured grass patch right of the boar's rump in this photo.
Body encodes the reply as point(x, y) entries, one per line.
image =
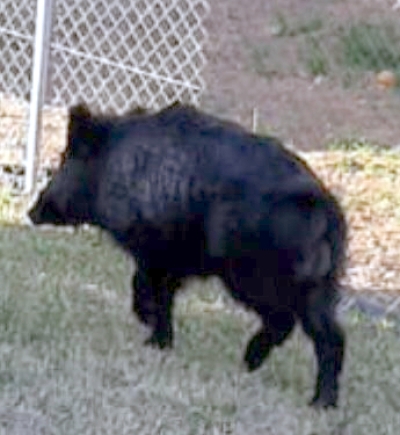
point(368, 183)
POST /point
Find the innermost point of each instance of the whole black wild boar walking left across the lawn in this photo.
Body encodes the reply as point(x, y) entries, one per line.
point(188, 194)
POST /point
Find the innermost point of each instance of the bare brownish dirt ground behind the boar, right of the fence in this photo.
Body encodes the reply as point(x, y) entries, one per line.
point(300, 108)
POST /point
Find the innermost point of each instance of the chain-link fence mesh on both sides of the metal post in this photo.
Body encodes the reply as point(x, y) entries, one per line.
point(112, 54)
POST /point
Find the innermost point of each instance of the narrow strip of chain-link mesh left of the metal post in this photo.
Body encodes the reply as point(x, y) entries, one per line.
point(17, 25)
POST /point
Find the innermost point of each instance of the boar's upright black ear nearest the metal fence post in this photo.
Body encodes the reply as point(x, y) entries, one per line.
point(85, 132)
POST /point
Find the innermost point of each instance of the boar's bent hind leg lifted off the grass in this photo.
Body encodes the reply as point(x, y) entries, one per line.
point(277, 325)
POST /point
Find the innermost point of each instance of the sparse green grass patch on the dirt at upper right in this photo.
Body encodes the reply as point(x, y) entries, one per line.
point(341, 49)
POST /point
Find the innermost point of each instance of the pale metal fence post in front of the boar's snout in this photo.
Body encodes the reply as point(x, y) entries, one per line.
point(39, 76)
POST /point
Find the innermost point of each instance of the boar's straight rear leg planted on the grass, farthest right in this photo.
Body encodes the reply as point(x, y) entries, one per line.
point(318, 321)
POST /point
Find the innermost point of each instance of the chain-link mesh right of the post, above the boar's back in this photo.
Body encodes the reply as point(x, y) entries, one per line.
point(120, 53)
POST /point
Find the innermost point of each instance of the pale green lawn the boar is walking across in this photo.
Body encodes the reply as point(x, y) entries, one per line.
point(72, 360)
